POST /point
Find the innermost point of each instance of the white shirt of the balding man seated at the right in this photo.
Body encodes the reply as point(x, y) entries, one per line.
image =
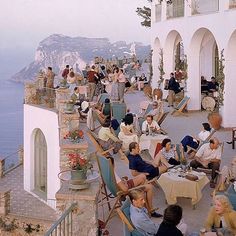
point(207, 153)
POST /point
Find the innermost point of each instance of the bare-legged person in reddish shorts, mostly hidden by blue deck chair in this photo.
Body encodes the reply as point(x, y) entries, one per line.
point(125, 184)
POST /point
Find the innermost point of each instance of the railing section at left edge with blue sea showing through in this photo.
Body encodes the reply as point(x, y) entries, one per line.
point(11, 161)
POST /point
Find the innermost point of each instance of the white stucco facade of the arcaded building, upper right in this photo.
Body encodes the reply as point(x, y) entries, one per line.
point(192, 30)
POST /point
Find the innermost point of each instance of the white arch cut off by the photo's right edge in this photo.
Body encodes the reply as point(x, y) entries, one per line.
point(229, 114)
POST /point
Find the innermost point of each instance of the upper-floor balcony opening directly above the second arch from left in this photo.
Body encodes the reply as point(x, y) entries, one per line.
point(176, 9)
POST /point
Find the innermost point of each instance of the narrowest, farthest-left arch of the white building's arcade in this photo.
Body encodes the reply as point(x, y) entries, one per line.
point(155, 63)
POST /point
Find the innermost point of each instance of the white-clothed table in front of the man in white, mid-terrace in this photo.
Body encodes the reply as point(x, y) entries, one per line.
point(150, 142)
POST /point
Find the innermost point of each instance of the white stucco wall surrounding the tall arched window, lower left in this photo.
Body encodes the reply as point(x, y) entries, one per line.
point(47, 121)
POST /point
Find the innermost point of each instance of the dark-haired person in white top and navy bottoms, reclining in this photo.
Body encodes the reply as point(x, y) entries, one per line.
point(194, 142)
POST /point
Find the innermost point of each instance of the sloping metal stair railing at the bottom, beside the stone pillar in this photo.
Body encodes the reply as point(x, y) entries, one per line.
point(64, 225)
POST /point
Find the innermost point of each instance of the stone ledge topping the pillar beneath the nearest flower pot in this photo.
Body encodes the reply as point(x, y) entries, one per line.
point(90, 194)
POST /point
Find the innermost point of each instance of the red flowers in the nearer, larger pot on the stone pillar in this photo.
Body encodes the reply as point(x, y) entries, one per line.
point(77, 162)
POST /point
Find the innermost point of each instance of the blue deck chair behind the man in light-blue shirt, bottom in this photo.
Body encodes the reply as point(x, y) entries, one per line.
point(124, 214)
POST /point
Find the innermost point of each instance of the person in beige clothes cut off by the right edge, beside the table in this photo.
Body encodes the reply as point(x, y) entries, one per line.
point(227, 174)
